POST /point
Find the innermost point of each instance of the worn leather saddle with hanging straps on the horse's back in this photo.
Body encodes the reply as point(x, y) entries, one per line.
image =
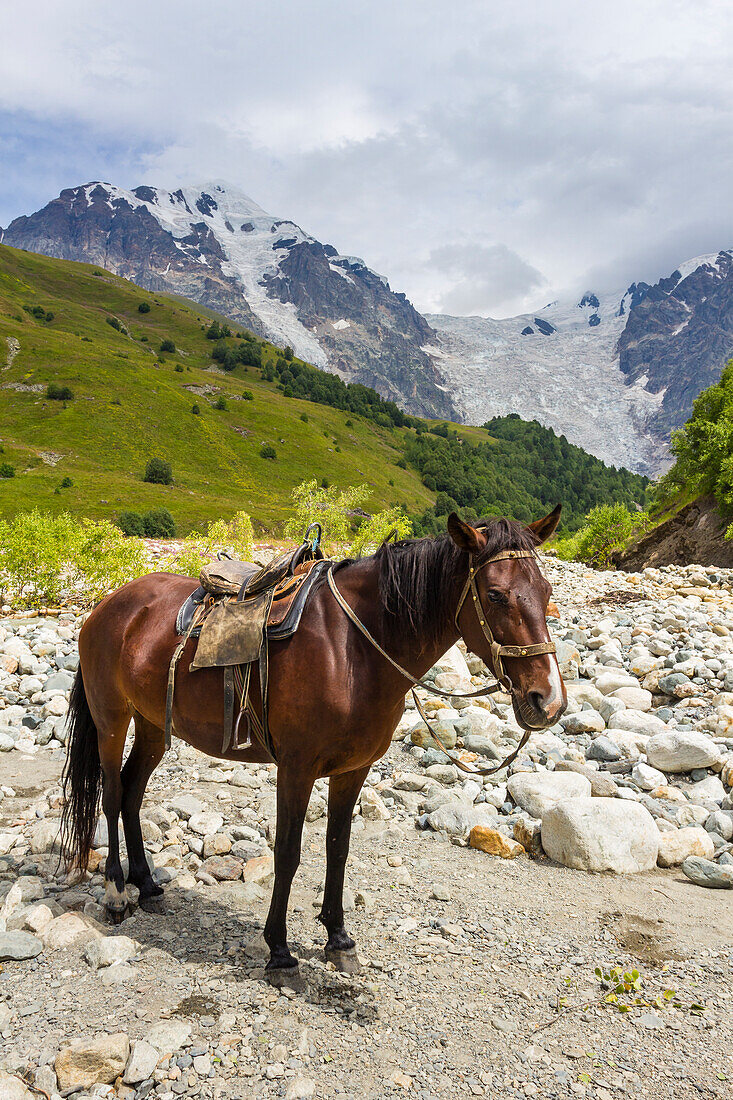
point(237, 610)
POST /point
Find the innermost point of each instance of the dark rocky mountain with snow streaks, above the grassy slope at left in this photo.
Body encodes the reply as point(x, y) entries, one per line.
point(216, 246)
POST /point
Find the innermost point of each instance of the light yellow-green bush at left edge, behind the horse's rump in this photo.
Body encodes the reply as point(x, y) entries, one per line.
point(45, 558)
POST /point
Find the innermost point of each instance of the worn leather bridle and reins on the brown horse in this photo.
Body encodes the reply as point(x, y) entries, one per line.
point(497, 653)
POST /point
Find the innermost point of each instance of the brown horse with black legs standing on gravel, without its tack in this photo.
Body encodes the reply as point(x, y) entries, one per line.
point(335, 701)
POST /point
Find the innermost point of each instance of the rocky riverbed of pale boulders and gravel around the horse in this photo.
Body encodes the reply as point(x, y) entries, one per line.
point(482, 907)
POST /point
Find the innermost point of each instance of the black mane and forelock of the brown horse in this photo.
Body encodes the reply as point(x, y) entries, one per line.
point(419, 578)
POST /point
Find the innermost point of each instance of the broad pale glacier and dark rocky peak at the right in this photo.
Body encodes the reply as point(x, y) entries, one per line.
point(615, 373)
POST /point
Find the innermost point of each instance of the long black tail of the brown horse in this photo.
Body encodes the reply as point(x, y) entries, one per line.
point(82, 780)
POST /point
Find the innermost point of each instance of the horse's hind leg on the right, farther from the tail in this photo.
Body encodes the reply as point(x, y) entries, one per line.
point(145, 757)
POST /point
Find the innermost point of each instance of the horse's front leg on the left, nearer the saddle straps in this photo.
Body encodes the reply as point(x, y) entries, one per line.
point(293, 795)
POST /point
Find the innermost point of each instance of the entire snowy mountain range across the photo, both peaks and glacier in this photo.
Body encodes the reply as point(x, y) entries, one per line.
point(615, 373)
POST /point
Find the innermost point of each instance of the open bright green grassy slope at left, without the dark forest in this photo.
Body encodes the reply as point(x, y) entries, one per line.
point(105, 446)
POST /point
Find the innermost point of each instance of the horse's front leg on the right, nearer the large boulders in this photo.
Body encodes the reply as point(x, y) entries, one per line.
point(343, 794)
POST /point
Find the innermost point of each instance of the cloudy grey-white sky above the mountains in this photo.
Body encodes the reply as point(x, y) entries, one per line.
point(487, 157)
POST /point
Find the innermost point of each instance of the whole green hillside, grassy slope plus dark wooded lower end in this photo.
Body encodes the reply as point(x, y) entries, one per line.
point(146, 375)
